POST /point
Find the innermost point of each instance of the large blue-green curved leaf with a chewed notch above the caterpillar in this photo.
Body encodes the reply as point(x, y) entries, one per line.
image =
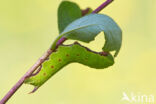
point(88, 27)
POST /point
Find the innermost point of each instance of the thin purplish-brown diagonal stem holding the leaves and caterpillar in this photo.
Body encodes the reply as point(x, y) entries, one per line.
point(41, 60)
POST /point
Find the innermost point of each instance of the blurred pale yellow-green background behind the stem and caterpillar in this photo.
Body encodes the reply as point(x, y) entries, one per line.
point(28, 27)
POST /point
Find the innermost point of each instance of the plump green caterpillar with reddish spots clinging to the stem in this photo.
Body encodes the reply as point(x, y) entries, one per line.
point(65, 55)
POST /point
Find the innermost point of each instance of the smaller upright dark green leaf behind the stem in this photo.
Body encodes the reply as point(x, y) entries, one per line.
point(67, 13)
